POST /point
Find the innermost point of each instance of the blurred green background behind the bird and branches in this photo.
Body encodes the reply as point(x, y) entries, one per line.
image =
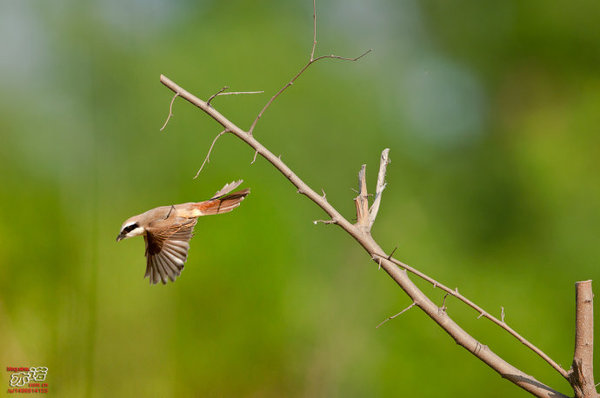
point(491, 111)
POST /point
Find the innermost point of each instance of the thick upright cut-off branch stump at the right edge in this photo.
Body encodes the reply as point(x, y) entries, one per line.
point(581, 375)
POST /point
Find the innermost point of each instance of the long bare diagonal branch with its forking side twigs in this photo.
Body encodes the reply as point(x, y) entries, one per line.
point(361, 233)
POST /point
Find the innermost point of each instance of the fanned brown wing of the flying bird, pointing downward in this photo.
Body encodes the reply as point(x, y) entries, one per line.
point(167, 245)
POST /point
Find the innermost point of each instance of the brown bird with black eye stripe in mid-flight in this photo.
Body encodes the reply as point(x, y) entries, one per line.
point(167, 230)
